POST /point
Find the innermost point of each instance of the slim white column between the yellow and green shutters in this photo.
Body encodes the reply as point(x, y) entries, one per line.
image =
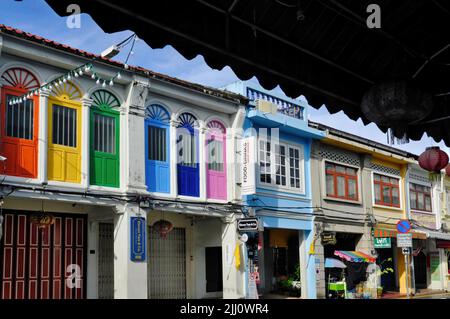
point(85, 142)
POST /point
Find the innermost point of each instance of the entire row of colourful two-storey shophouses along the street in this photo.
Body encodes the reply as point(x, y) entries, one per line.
point(132, 188)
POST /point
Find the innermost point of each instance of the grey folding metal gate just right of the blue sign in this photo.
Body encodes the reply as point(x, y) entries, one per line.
point(167, 265)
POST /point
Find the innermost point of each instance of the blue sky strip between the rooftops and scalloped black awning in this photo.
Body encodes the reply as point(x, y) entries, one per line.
point(37, 17)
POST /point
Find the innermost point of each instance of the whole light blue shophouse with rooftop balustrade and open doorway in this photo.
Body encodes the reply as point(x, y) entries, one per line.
point(277, 187)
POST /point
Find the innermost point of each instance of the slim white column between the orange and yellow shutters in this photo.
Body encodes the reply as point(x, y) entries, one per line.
point(43, 136)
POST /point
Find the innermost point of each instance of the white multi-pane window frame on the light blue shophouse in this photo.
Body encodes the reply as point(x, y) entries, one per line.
point(273, 184)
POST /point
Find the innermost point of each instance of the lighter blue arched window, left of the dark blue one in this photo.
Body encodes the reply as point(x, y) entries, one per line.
point(157, 150)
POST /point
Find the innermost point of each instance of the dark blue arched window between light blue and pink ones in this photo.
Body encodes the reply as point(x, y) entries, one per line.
point(187, 156)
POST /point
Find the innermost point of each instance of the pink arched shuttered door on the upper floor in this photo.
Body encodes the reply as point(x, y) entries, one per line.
point(216, 172)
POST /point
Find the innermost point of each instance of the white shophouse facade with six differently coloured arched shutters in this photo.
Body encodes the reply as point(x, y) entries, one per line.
point(204, 237)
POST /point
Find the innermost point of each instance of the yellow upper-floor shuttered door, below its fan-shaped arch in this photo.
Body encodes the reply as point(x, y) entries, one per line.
point(64, 140)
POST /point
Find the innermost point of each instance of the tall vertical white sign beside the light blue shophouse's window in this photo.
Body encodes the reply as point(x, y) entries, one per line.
point(248, 166)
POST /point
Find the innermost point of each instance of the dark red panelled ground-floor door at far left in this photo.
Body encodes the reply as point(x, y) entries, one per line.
point(43, 263)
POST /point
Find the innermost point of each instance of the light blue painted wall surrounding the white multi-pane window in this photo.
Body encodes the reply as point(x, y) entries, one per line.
point(297, 205)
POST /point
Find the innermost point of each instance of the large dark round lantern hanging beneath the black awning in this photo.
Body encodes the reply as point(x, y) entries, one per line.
point(395, 104)
